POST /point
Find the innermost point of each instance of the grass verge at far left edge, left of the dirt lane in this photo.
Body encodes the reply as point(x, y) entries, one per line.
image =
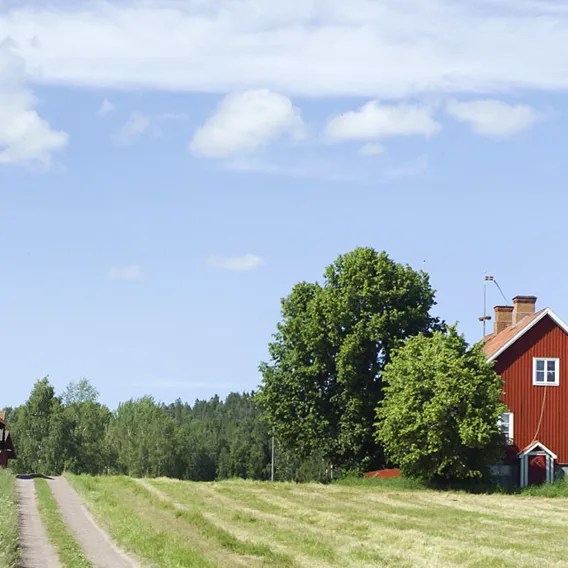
point(9, 555)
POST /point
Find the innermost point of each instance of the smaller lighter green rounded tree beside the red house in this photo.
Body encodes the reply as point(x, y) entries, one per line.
point(439, 418)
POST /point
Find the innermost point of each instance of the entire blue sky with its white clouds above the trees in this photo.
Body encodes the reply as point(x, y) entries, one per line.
point(169, 170)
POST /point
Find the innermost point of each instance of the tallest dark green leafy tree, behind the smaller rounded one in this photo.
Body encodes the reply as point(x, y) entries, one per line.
point(323, 382)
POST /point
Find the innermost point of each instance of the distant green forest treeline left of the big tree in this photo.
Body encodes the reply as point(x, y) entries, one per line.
point(206, 441)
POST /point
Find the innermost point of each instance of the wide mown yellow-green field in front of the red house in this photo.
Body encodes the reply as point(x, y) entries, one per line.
point(240, 523)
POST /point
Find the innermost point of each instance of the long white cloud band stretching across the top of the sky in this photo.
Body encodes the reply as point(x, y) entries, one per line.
point(370, 48)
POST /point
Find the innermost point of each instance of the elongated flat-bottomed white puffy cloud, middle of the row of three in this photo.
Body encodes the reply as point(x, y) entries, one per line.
point(375, 120)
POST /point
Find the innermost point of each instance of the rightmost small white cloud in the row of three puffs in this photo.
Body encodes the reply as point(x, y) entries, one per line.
point(494, 118)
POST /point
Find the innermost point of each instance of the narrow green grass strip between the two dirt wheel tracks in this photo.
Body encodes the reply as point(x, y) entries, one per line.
point(70, 553)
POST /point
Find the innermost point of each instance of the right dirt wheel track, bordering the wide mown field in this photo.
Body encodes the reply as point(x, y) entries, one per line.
point(96, 544)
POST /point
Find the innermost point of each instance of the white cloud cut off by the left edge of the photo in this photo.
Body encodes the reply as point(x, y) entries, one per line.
point(25, 137)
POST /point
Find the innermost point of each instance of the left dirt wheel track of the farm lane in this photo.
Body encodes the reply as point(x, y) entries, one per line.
point(37, 552)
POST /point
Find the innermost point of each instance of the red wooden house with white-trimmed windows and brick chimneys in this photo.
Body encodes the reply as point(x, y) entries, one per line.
point(530, 351)
